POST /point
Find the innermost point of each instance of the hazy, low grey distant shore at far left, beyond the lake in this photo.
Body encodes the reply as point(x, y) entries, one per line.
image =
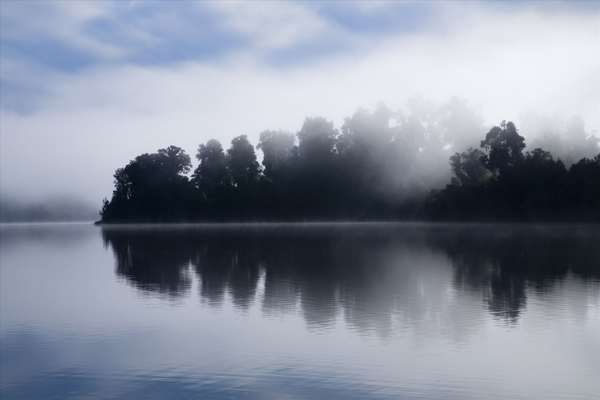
point(58, 209)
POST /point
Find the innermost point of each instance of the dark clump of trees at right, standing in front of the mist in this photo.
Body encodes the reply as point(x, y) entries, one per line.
point(517, 186)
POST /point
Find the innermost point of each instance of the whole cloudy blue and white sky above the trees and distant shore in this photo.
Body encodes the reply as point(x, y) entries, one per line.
point(85, 87)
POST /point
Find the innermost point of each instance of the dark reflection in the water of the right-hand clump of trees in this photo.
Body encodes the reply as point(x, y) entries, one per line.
point(502, 263)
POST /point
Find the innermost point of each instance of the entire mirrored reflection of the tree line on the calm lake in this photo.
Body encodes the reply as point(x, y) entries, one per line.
point(372, 275)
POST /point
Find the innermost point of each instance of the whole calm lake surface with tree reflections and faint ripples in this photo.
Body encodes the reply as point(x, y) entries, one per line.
point(348, 311)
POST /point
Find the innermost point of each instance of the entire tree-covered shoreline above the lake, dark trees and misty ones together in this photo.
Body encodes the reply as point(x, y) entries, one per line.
point(432, 163)
